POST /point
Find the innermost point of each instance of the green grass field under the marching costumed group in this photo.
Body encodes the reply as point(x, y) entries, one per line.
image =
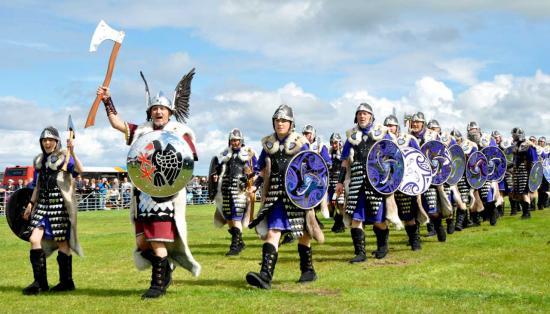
point(485, 269)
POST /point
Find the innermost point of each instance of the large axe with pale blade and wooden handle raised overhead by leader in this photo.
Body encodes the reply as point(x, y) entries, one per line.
point(103, 32)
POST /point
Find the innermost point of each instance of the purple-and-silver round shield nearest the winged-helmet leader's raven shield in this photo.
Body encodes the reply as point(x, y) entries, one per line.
point(306, 179)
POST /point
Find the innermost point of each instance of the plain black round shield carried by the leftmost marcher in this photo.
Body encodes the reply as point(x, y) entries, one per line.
point(16, 206)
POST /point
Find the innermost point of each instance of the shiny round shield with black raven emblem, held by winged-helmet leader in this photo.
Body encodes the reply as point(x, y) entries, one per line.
point(160, 163)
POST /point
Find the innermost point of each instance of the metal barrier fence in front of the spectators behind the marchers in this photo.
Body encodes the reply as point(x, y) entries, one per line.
point(112, 199)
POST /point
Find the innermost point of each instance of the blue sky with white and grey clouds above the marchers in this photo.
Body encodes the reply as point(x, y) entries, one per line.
point(455, 61)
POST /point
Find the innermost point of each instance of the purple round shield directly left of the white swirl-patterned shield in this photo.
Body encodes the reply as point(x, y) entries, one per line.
point(385, 166)
